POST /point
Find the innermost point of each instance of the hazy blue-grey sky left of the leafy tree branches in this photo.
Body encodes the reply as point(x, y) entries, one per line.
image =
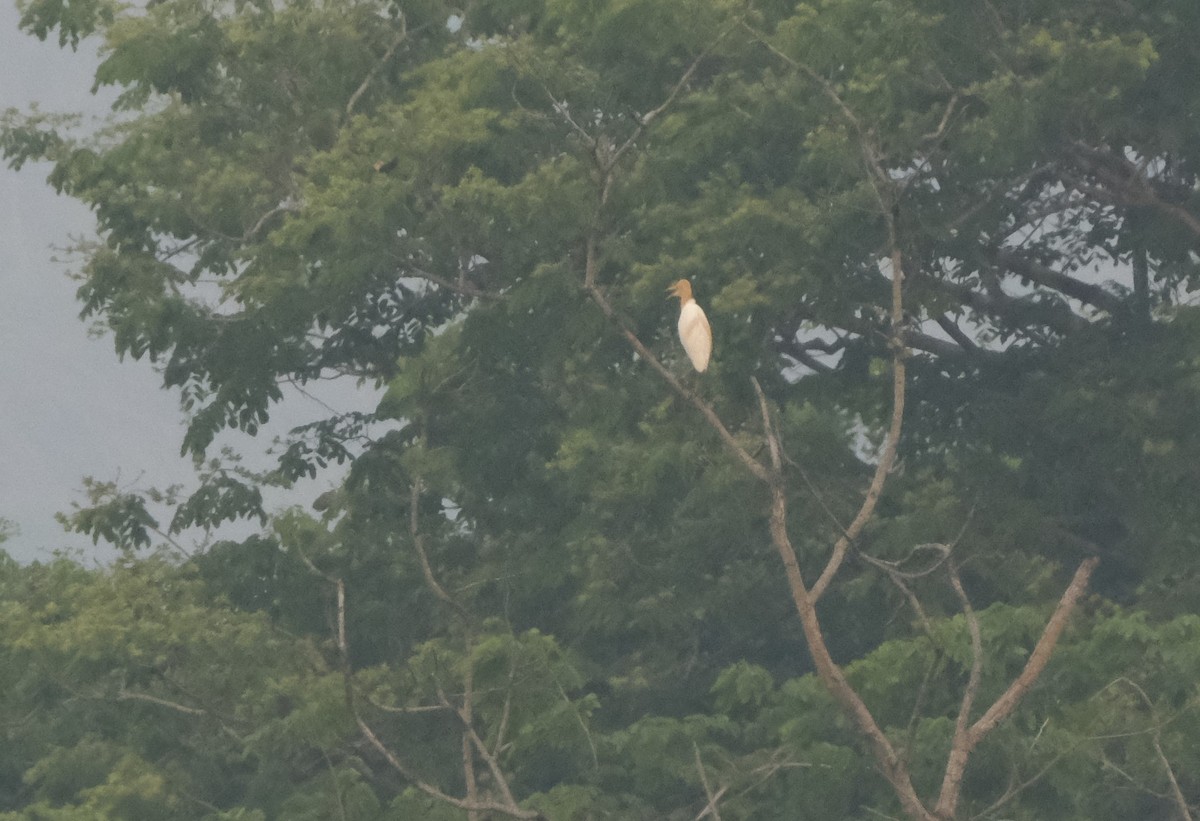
point(68, 407)
